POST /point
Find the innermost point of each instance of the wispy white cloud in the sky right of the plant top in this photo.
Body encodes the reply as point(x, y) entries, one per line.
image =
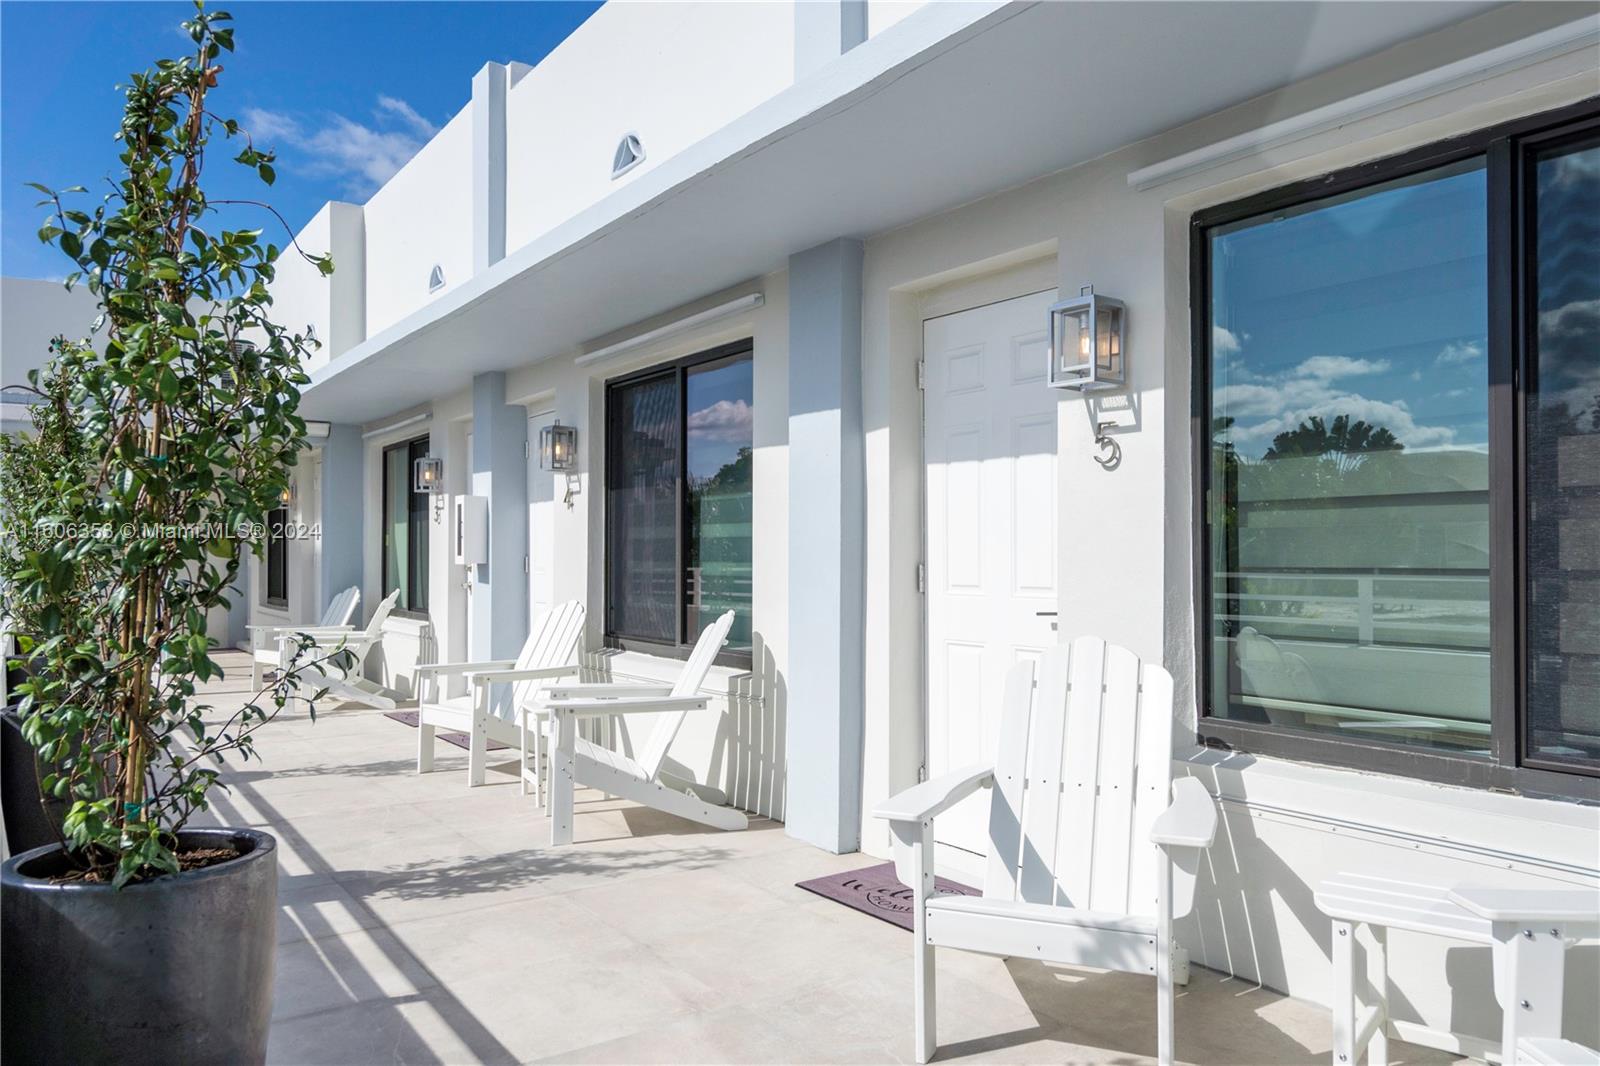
point(362, 156)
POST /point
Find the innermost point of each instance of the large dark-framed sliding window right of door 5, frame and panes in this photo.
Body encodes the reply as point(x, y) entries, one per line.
point(1398, 435)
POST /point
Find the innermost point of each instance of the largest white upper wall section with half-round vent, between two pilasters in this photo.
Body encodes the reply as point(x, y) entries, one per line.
point(671, 73)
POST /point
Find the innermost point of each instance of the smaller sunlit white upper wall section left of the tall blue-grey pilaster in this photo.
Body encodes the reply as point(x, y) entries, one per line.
point(423, 217)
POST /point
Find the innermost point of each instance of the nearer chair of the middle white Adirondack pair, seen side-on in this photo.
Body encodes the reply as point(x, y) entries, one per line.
point(578, 763)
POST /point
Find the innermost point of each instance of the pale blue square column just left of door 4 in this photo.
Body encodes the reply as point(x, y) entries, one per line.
point(500, 473)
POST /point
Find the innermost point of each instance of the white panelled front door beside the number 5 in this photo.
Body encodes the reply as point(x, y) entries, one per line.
point(990, 441)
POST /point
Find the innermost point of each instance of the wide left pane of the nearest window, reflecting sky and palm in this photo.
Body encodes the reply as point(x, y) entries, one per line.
point(1350, 516)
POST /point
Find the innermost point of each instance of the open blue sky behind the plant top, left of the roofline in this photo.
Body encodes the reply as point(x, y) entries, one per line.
point(346, 92)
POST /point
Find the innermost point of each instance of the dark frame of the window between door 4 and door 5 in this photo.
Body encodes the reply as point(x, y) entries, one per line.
point(679, 371)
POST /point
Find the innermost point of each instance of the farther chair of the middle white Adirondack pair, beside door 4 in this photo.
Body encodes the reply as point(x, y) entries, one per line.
point(550, 652)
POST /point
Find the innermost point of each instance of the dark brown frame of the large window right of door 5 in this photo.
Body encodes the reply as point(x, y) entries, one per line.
point(1508, 151)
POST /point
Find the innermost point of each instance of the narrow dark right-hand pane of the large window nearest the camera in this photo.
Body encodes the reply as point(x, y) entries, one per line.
point(1564, 459)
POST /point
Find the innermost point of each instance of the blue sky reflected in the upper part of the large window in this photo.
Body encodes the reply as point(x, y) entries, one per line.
point(1372, 307)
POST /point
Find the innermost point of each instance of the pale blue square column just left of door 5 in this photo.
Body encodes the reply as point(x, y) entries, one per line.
point(826, 547)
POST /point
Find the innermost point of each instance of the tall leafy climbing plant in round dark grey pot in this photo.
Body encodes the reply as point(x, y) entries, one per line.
point(159, 449)
